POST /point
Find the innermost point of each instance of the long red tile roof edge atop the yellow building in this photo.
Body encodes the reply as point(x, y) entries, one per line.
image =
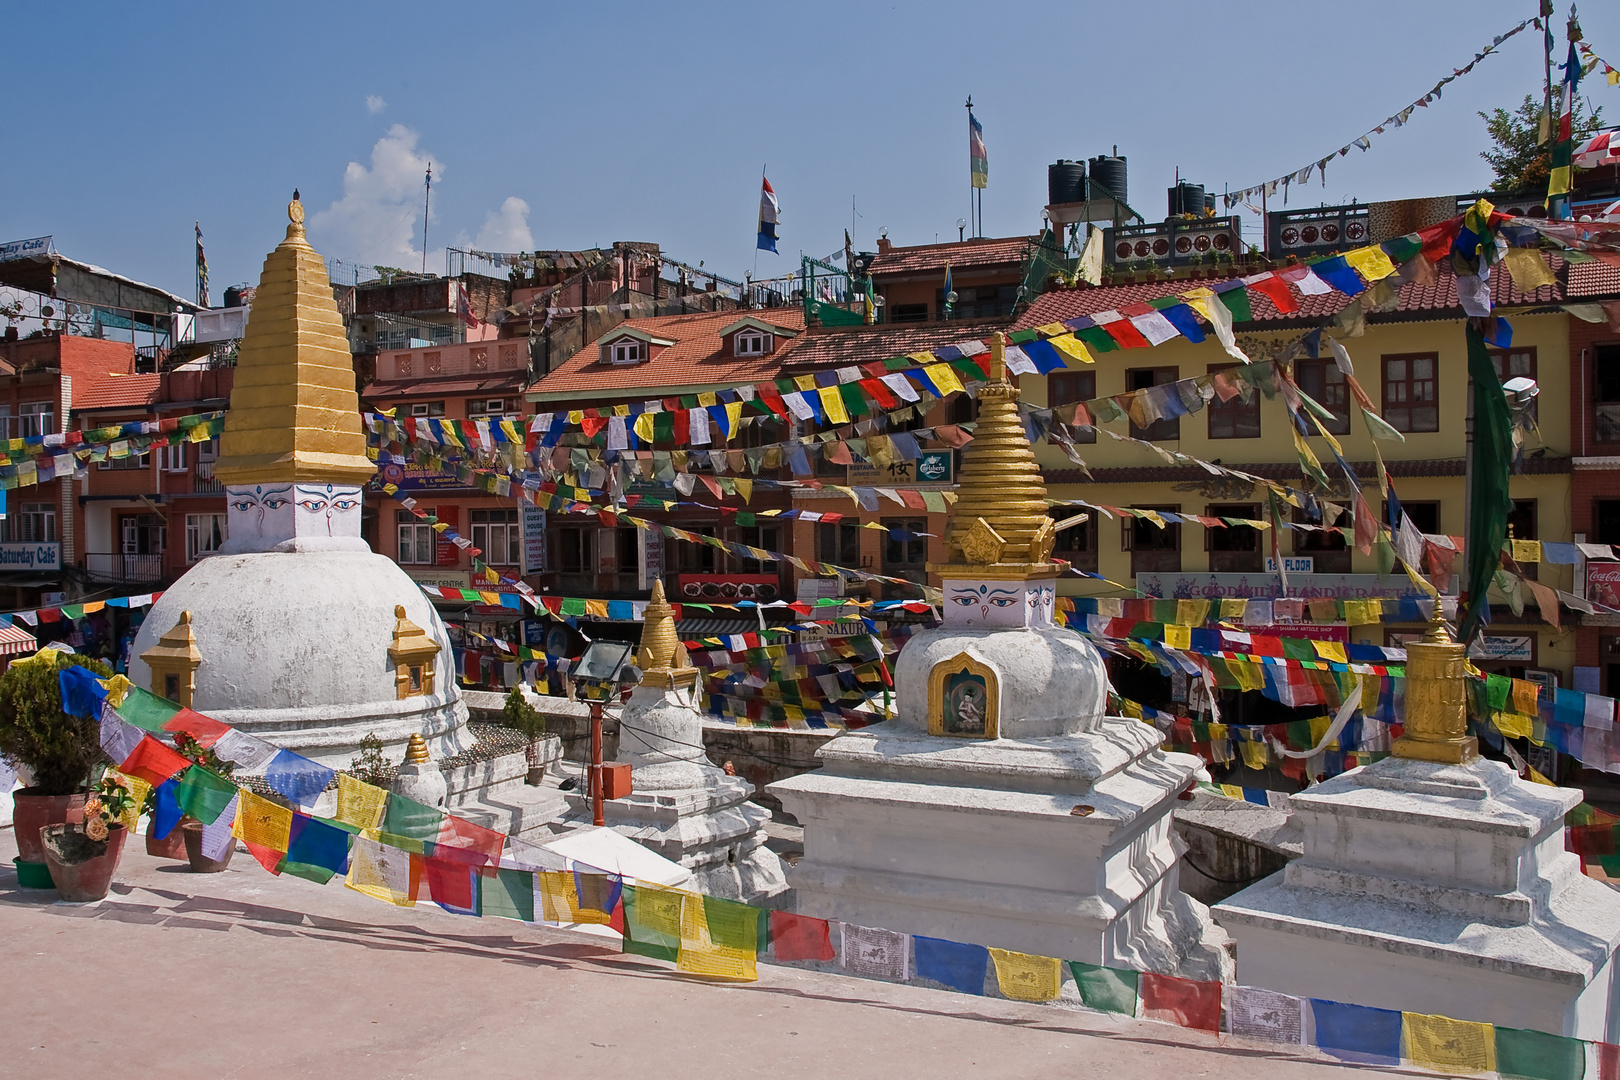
point(1438, 299)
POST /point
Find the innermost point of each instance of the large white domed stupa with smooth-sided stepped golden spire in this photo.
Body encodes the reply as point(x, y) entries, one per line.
point(297, 631)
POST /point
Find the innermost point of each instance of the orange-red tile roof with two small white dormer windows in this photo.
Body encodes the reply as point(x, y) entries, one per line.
point(696, 359)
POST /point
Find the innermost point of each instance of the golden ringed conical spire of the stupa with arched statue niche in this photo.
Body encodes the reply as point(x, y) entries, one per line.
point(1000, 519)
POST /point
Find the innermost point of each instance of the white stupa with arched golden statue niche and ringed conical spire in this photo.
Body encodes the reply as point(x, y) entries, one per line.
point(1000, 807)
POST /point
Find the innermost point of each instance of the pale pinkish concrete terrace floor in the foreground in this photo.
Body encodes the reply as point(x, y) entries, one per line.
point(244, 976)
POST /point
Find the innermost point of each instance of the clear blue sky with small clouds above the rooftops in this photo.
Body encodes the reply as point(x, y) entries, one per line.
point(578, 125)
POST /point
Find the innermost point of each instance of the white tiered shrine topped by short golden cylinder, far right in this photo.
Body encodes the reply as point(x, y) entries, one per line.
point(1436, 882)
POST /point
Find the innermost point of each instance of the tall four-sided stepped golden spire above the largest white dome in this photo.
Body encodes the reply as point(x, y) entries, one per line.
point(294, 410)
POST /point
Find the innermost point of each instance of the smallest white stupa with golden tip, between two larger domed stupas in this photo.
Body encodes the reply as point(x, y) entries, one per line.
point(681, 806)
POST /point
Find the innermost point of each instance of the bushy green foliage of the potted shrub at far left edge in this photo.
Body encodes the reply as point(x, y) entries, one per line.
point(61, 750)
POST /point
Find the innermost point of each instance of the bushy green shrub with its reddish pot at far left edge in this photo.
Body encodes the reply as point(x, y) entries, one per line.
point(58, 750)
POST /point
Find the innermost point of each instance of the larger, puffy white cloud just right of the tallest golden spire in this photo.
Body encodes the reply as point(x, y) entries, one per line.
point(377, 218)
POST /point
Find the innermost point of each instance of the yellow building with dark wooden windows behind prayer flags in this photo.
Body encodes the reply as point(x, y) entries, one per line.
point(1412, 364)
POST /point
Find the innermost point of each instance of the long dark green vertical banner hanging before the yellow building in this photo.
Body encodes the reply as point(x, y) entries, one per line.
point(1491, 464)
